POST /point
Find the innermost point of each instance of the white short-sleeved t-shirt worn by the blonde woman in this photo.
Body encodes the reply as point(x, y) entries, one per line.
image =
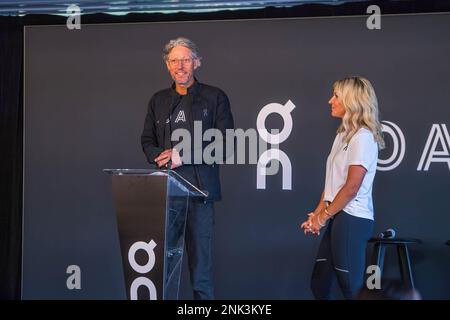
point(361, 150)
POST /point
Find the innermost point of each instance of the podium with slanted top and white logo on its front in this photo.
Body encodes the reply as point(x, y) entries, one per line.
point(151, 209)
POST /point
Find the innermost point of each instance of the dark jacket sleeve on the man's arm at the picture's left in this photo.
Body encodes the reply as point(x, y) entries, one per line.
point(149, 140)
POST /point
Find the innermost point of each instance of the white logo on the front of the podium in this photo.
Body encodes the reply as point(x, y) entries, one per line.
point(142, 281)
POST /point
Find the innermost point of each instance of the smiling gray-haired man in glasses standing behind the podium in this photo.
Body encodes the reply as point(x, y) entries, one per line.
point(178, 107)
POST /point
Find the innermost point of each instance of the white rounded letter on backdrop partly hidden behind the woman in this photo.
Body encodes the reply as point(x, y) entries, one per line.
point(398, 149)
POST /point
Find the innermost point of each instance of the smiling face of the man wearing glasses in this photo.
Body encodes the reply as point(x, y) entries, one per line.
point(181, 65)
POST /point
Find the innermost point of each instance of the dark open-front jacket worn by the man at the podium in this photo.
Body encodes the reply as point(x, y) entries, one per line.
point(209, 105)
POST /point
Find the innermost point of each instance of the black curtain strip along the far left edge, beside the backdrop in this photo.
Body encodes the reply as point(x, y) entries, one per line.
point(11, 121)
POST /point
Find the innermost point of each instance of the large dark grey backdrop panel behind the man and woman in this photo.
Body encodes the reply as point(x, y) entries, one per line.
point(85, 100)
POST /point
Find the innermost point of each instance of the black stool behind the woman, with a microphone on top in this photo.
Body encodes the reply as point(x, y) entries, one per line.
point(403, 256)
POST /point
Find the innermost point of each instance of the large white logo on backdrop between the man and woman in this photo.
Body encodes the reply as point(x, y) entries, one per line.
point(274, 139)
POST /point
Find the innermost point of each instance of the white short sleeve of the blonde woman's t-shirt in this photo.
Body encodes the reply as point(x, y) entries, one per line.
point(362, 150)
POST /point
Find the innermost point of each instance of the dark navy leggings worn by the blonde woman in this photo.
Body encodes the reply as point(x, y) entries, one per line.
point(341, 256)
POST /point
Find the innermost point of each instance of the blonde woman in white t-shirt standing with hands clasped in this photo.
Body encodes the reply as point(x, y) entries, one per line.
point(346, 207)
